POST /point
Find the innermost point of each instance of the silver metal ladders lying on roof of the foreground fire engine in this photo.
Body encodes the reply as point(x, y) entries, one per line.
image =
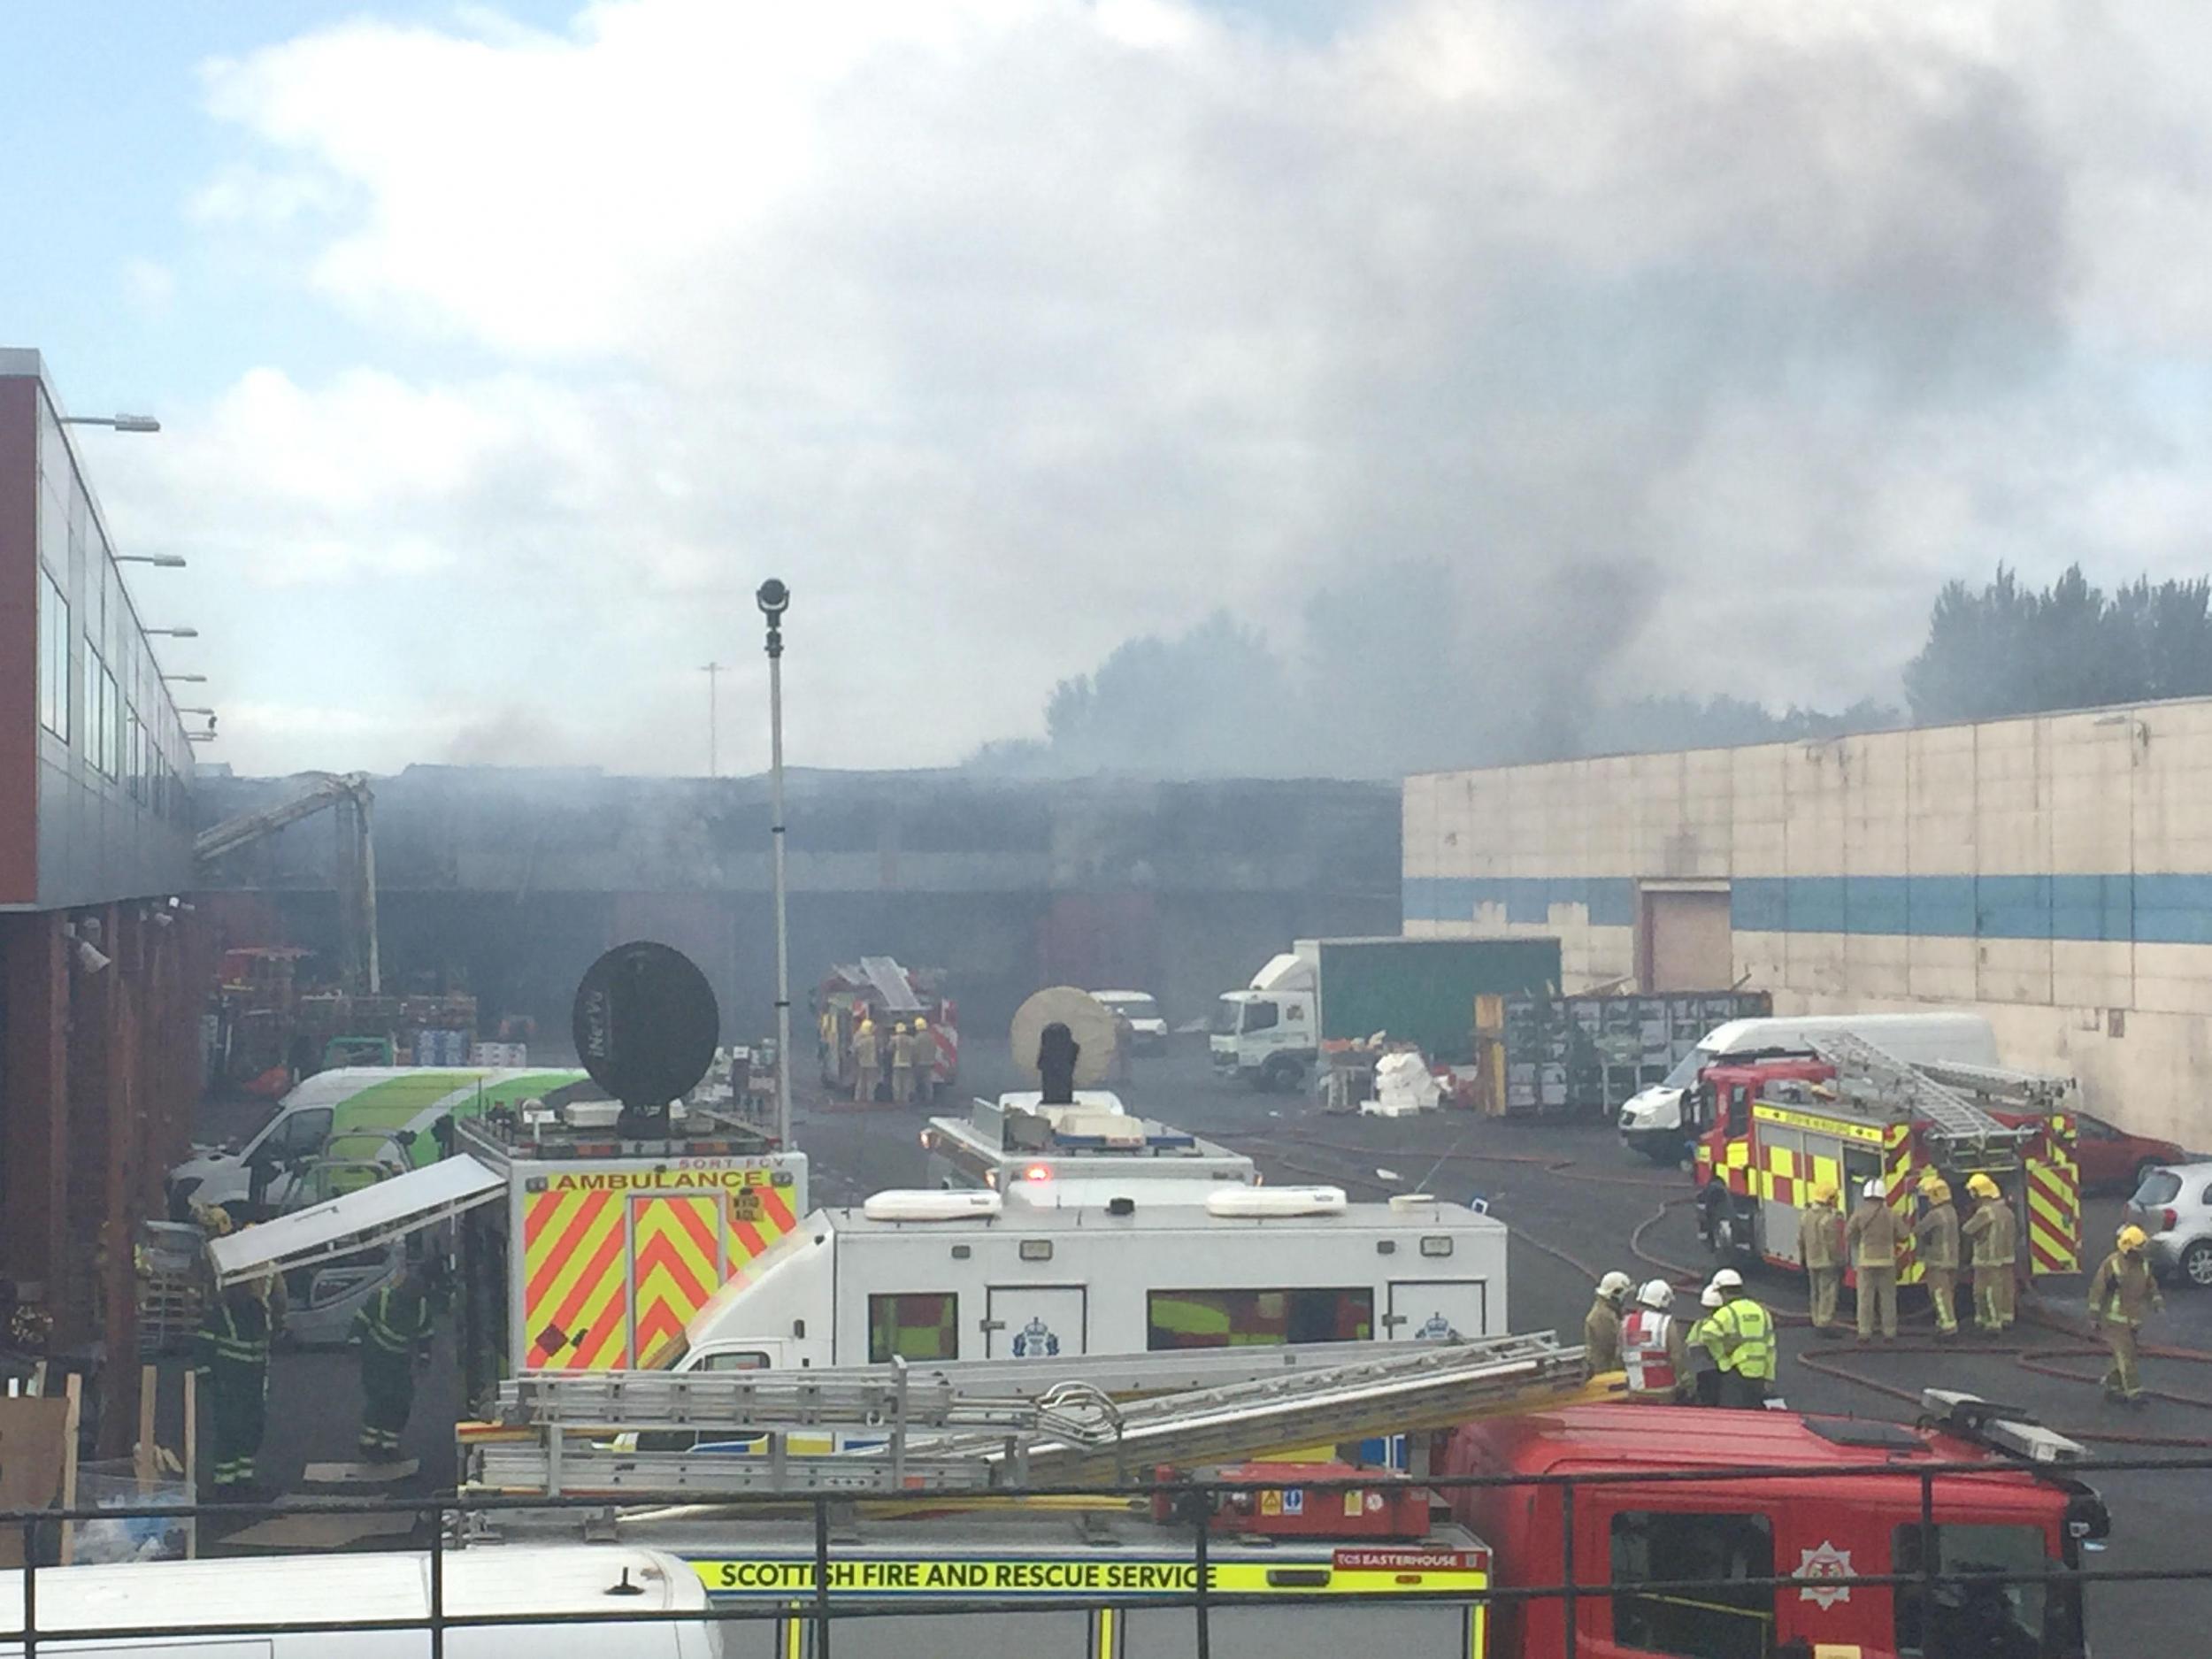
point(990, 1423)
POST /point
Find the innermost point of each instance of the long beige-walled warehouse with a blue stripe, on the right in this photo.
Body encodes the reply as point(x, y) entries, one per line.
point(2052, 873)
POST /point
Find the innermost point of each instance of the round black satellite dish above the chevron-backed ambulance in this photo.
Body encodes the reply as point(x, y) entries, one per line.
point(647, 1025)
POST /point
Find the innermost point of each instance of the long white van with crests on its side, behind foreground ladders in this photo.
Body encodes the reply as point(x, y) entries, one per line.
point(1103, 1269)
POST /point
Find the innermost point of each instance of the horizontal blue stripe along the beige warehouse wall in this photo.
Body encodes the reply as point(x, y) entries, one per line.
point(2151, 910)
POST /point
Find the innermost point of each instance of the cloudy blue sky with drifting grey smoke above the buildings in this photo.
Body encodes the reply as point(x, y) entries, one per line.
point(505, 348)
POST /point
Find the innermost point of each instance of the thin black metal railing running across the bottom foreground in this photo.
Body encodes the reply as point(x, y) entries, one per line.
point(820, 1603)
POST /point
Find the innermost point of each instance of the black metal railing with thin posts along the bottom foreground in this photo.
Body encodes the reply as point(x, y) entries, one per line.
point(820, 1605)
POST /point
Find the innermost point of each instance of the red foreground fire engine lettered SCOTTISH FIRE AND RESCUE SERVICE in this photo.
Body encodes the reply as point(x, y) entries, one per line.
point(1306, 1556)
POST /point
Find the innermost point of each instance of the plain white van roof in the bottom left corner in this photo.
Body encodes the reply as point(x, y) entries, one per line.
point(309, 1607)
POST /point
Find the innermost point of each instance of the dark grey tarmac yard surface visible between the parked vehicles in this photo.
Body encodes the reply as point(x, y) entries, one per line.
point(1565, 1191)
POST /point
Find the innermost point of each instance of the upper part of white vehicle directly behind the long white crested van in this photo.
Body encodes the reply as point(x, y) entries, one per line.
point(1019, 1138)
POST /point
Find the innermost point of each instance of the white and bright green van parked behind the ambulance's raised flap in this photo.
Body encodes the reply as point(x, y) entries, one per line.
point(346, 1109)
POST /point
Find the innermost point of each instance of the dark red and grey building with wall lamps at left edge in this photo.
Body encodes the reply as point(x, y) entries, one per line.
point(101, 950)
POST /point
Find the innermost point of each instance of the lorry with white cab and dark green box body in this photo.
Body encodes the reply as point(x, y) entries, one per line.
point(1412, 990)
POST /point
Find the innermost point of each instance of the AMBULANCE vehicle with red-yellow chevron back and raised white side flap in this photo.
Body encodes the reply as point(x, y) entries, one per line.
point(581, 1246)
